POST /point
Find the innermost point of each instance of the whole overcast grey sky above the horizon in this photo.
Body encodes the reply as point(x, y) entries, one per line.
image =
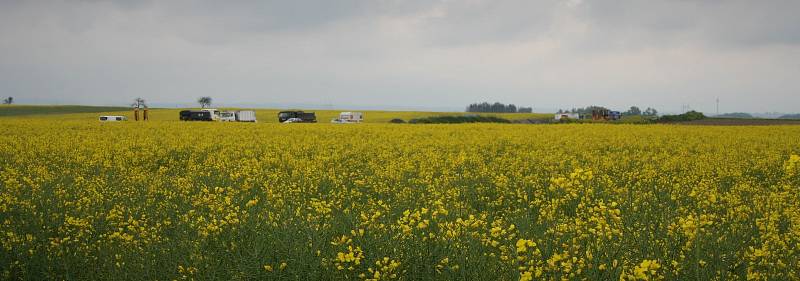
point(391, 53)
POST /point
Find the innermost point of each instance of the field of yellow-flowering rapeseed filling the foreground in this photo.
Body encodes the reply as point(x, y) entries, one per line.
point(170, 200)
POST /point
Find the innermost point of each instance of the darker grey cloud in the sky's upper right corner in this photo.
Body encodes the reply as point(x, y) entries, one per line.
point(736, 23)
